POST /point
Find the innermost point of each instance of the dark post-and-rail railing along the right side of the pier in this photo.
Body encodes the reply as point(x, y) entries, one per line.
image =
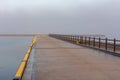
point(102, 43)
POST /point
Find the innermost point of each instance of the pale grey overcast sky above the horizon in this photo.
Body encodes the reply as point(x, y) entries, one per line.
point(60, 16)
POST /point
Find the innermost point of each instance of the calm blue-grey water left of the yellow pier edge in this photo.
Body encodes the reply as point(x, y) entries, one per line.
point(12, 50)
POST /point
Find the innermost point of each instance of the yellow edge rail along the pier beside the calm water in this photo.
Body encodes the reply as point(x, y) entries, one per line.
point(20, 71)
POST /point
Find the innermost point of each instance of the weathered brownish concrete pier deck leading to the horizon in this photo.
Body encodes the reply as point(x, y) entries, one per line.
point(59, 60)
